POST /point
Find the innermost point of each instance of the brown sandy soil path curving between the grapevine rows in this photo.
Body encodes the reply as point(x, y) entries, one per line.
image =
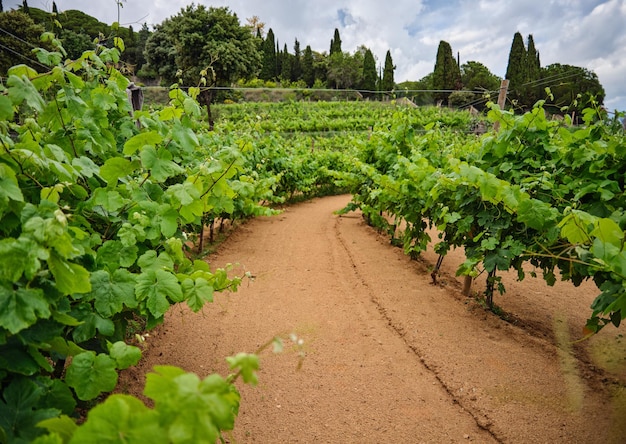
point(390, 357)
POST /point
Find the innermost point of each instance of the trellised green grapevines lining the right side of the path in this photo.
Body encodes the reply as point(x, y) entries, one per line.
point(540, 191)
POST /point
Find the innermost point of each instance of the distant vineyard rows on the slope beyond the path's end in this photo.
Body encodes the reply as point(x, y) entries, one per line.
point(310, 146)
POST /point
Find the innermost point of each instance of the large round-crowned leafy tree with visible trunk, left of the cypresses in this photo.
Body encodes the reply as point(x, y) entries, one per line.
point(208, 46)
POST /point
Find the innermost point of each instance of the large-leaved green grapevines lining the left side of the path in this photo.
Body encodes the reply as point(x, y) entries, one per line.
point(94, 214)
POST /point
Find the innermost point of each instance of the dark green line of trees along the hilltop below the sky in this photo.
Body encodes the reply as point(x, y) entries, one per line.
point(180, 50)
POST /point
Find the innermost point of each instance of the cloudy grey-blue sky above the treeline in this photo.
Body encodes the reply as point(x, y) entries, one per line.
point(586, 33)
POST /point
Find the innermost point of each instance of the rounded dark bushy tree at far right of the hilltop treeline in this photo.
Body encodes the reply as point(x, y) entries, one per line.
point(572, 87)
